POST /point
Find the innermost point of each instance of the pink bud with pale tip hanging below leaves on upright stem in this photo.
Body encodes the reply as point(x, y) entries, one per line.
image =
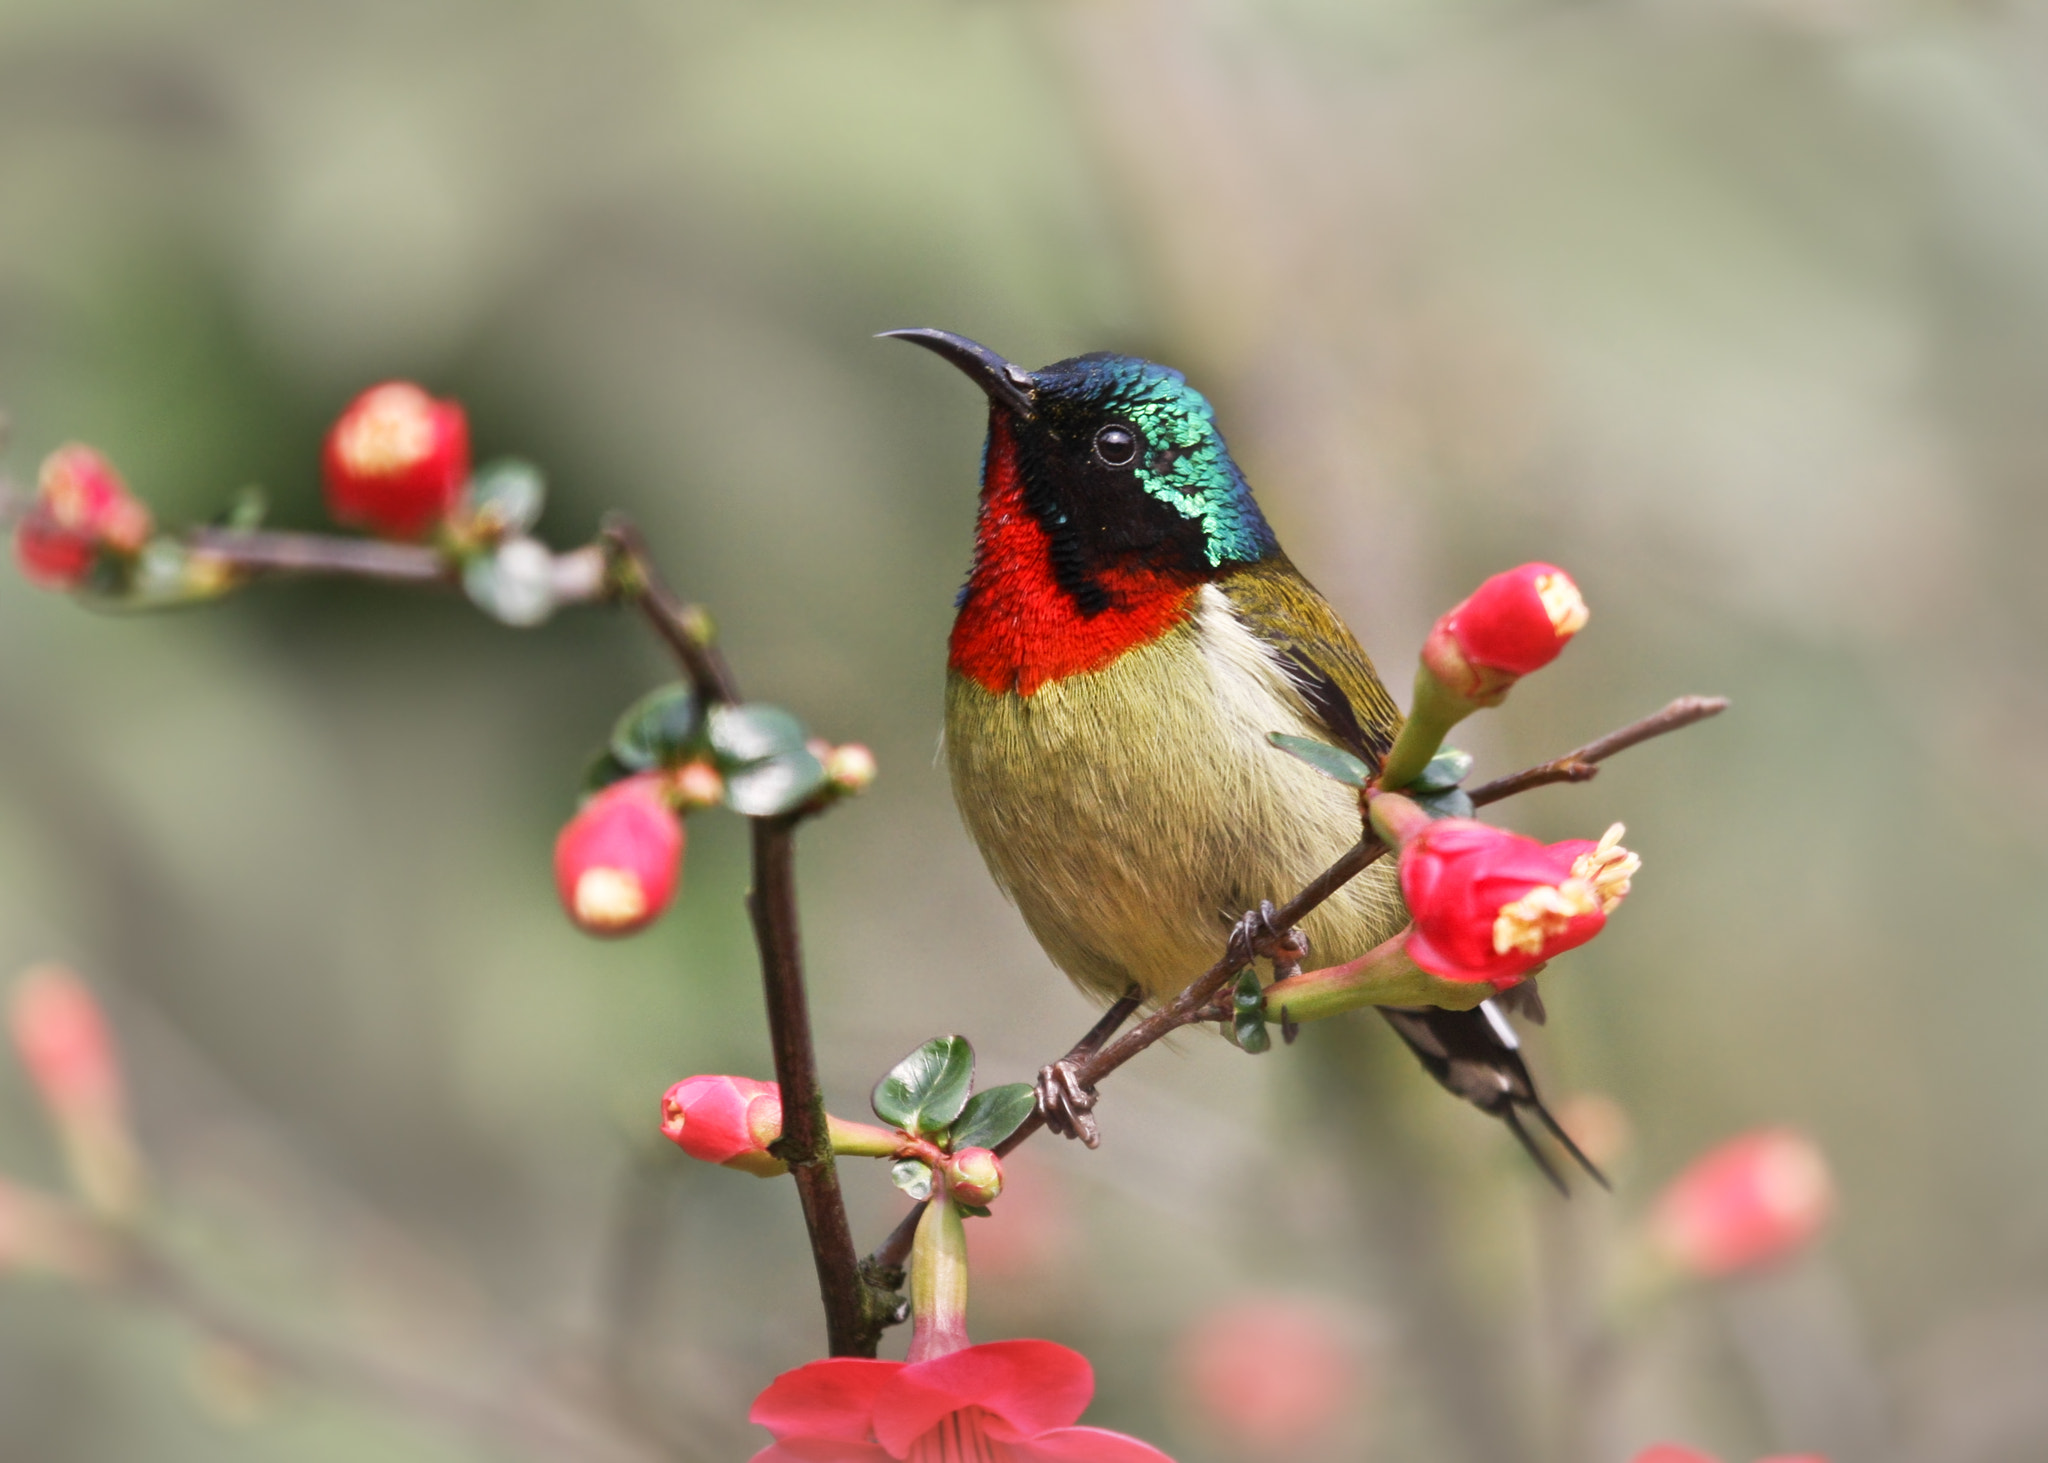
point(617, 862)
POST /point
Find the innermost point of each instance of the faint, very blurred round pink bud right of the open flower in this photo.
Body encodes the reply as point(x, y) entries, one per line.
point(1271, 1378)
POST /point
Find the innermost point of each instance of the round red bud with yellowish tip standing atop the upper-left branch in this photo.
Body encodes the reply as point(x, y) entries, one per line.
point(396, 462)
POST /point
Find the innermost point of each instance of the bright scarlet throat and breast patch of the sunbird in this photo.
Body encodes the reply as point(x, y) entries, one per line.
point(1019, 628)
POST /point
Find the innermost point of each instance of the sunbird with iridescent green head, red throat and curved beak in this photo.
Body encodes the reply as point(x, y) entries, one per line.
point(1127, 638)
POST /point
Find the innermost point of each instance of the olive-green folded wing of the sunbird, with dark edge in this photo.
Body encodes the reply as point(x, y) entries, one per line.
point(1320, 655)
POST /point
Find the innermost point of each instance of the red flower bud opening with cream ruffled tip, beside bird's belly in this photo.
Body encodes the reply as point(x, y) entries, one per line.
point(1492, 905)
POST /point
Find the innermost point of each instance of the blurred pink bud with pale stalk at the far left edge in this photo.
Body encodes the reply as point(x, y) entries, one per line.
point(71, 1058)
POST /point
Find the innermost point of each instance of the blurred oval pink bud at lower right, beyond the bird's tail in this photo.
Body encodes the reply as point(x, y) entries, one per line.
point(1750, 1202)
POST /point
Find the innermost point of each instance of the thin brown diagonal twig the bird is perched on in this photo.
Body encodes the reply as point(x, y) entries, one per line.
point(1193, 1003)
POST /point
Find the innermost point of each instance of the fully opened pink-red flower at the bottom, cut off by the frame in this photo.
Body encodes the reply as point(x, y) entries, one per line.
point(1002, 1403)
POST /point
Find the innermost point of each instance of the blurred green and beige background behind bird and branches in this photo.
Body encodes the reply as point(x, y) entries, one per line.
point(1740, 308)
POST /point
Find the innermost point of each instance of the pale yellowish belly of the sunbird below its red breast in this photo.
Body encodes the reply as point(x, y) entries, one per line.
point(1136, 812)
